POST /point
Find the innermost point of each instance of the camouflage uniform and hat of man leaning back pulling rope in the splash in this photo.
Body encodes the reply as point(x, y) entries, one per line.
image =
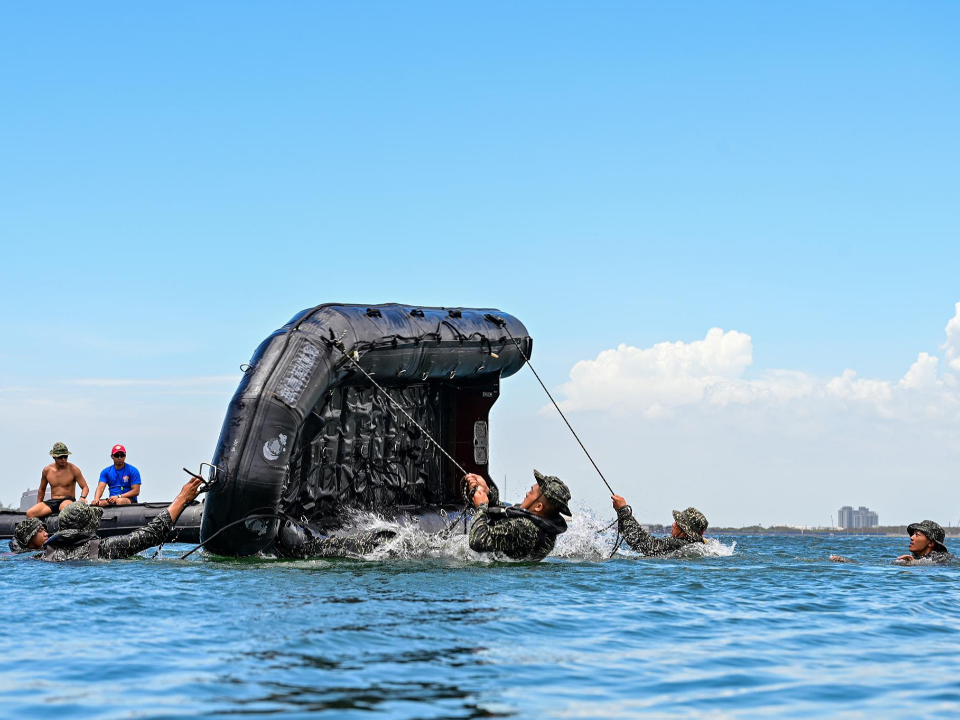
point(518, 533)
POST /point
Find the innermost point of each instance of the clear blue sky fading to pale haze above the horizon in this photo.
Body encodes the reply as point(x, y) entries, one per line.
point(178, 181)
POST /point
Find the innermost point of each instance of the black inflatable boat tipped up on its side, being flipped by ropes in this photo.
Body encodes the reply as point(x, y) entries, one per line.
point(308, 436)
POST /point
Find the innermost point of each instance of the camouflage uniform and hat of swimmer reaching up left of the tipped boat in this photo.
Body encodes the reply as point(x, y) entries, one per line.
point(77, 537)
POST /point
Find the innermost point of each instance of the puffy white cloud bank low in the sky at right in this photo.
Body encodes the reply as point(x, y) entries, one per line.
point(708, 375)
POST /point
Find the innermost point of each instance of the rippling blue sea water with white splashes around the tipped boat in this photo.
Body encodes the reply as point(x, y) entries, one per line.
point(752, 626)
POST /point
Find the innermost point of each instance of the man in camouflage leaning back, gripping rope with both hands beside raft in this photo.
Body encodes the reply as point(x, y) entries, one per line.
point(527, 531)
